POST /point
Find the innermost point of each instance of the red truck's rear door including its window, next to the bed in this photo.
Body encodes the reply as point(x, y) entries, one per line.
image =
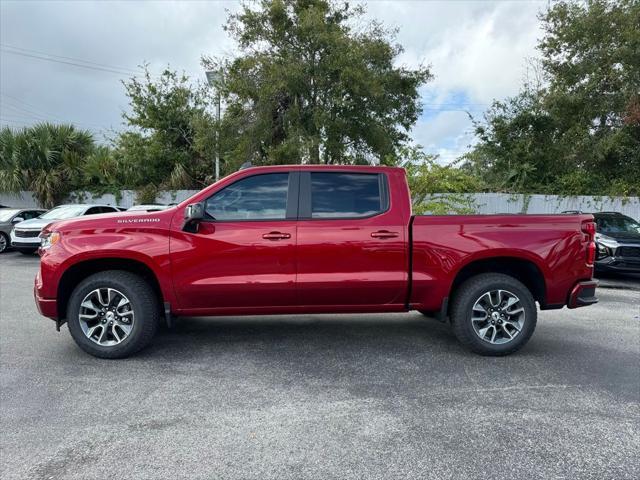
point(351, 245)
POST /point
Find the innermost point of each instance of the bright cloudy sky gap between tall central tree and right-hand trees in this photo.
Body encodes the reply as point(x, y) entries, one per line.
point(477, 53)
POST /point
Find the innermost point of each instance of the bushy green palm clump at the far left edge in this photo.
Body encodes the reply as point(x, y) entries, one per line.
point(46, 159)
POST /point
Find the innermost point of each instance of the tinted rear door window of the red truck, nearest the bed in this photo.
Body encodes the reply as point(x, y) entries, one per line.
point(345, 195)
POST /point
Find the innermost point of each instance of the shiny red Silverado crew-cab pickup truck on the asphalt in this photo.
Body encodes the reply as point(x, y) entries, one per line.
point(310, 239)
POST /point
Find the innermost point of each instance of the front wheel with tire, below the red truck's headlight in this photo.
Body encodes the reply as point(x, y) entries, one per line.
point(113, 314)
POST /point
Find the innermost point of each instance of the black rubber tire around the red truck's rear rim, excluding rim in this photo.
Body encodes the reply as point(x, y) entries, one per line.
point(466, 296)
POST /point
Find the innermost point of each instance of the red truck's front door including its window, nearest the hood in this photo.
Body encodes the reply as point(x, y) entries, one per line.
point(243, 254)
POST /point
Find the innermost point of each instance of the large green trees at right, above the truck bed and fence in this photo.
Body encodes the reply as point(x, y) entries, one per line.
point(577, 131)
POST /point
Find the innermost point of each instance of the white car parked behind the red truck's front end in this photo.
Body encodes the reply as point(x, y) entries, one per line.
point(25, 237)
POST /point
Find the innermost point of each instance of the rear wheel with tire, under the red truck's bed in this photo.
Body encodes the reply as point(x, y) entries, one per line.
point(493, 314)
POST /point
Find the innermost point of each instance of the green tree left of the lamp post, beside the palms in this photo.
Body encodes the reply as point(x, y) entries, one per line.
point(165, 148)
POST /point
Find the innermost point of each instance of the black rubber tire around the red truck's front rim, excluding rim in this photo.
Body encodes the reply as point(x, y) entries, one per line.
point(143, 300)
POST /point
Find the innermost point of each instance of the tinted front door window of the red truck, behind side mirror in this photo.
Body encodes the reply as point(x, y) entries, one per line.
point(261, 197)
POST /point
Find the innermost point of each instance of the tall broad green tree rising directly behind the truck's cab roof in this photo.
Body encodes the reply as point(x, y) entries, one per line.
point(314, 84)
